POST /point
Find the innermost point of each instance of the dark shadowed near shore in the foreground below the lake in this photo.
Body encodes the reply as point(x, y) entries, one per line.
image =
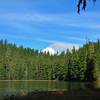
point(57, 95)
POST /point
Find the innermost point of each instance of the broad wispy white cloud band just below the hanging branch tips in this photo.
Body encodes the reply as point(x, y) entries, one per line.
point(77, 21)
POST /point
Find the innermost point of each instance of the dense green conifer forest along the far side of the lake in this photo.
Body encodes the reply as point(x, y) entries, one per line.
point(18, 63)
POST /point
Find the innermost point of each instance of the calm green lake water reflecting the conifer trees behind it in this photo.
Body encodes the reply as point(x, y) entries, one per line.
point(14, 87)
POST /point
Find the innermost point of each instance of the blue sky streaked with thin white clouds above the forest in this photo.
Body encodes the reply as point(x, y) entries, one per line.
point(48, 23)
